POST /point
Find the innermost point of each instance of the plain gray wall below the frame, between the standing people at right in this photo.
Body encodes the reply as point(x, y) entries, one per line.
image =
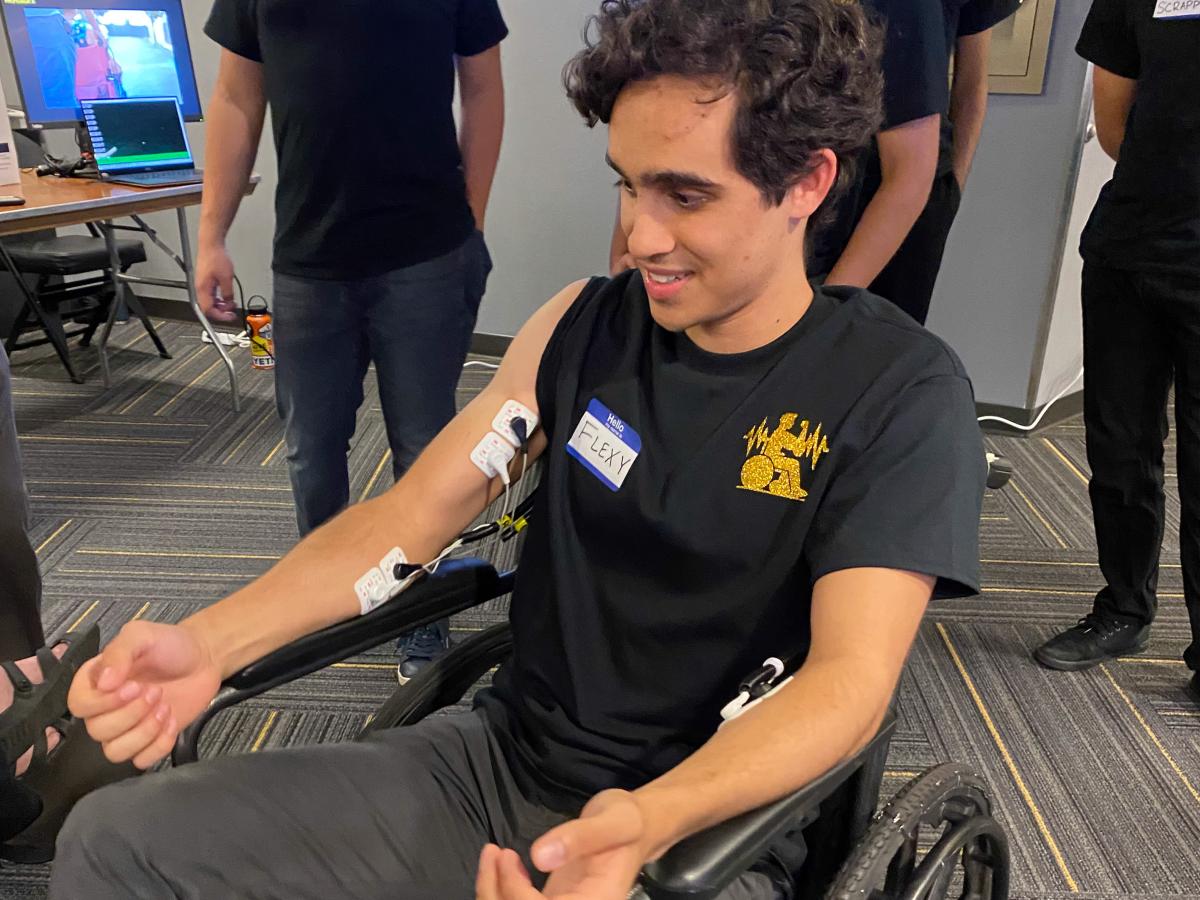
point(1003, 259)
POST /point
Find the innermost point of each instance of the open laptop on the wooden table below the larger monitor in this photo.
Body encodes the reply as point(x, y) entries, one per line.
point(141, 142)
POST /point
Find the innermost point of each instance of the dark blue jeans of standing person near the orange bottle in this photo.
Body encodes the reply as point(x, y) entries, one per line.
point(415, 325)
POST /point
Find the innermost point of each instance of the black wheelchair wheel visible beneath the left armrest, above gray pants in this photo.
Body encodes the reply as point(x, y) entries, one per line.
point(446, 681)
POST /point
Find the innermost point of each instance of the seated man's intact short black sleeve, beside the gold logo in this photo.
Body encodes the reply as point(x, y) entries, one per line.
point(913, 499)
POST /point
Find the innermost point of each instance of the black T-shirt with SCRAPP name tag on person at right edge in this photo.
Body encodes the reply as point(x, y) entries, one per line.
point(1148, 218)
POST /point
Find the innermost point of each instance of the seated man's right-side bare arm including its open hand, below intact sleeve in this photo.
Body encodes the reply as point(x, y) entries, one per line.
point(863, 626)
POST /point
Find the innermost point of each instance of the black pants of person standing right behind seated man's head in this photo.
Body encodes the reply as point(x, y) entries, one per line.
point(910, 278)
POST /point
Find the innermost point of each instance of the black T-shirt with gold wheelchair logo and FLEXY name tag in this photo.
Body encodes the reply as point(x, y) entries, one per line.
point(849, 442)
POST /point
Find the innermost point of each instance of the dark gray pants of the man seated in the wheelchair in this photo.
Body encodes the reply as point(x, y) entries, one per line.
point(401, 817)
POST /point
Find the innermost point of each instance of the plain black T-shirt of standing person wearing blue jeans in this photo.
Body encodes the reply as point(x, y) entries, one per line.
point(361, 93)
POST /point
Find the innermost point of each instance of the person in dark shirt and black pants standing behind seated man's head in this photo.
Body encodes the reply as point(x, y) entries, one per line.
point(892, 231)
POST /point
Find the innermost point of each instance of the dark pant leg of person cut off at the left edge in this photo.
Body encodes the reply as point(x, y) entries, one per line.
point(21, 584)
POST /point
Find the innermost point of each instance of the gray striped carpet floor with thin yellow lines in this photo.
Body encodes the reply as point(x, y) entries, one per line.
point(154, 499)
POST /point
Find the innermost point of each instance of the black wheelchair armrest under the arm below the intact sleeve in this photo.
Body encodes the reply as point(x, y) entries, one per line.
point(704, 866)
